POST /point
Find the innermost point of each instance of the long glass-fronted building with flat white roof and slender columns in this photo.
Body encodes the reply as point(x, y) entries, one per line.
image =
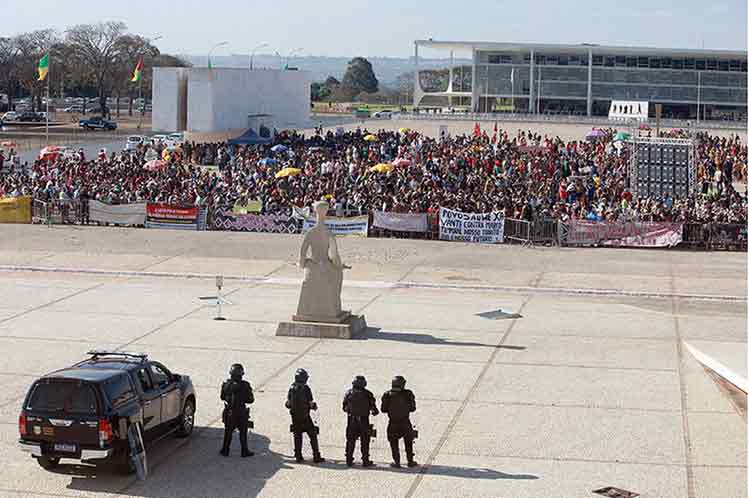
point(584, 79)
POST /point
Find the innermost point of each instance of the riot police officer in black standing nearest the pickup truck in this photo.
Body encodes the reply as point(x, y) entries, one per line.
point(236, 393)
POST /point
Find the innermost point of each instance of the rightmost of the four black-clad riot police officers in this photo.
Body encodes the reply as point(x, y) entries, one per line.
point(398, 403)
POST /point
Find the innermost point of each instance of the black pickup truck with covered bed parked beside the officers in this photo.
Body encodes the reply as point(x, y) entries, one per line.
point(84, 412)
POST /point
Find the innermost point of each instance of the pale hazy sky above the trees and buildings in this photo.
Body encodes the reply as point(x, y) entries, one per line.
point(388, 27)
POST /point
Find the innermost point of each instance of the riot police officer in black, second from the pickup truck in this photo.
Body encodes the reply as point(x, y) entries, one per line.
point(299, 402)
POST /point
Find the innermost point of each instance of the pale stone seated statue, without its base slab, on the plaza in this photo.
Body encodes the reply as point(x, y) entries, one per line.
point(323, 274)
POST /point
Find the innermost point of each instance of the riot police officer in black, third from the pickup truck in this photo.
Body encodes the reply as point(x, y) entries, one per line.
point(358, 403)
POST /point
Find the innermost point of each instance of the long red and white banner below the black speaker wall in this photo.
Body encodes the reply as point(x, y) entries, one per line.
point(651, 234)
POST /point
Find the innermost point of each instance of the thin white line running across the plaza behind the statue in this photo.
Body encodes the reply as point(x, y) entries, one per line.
point(378, 284)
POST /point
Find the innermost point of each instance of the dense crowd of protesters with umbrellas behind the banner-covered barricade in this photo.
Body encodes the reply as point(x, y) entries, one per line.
point(525, 175)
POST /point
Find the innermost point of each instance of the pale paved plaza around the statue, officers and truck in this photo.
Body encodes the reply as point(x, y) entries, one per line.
point(590, 387)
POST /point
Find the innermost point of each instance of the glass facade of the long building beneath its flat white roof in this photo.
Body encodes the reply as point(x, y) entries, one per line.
point(589, 78)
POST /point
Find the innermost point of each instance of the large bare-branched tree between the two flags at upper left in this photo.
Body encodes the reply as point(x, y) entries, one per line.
point(98, 46)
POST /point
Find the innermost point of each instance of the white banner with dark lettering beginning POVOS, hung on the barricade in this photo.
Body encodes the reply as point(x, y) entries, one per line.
point(471, 227)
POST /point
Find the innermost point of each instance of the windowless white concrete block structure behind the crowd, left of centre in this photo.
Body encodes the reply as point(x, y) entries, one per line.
point(221, 99)
